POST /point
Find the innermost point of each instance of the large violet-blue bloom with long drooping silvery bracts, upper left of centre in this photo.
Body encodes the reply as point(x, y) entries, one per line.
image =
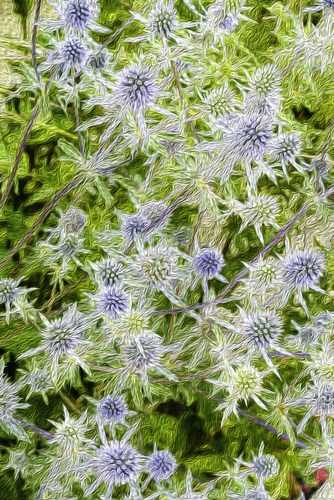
point(135, 90)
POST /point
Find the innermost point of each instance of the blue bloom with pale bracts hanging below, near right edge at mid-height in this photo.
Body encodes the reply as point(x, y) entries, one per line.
point(302, 271)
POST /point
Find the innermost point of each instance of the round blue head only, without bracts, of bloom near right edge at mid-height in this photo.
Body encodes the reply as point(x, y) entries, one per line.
point(304, 268)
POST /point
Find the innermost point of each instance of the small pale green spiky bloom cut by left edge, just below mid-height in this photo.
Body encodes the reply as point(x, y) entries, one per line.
point(13, 296)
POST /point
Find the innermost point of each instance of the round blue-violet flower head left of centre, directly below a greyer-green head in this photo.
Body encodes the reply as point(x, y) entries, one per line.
point(111, 301)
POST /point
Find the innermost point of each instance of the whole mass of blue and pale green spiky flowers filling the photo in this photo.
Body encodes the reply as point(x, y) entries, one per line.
point(215, 146)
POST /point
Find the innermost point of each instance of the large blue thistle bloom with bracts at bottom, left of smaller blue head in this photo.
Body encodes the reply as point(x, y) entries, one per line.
point(114, 464)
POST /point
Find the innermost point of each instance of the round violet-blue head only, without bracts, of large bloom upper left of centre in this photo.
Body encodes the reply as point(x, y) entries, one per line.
point(136, 87)
